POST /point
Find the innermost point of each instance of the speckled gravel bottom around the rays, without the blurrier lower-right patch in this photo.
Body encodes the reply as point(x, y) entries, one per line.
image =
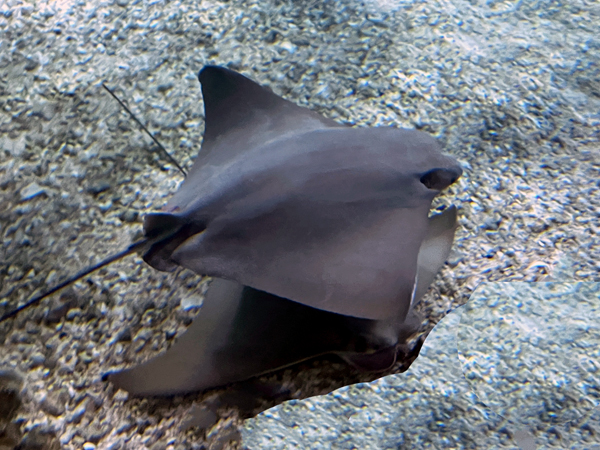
point(512, 89)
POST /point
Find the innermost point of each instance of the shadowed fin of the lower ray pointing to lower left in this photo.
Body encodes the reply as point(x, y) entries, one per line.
point(239, 333)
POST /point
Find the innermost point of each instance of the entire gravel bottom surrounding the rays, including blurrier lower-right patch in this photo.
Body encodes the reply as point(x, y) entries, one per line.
point(510, 89)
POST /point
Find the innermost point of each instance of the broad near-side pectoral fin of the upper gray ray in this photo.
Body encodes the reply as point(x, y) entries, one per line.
point(366, 272)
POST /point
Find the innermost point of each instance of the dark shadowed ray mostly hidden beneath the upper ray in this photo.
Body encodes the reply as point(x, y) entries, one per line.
point(241, 332)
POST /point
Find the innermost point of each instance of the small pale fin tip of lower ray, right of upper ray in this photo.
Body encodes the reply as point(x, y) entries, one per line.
point(435, 249)
